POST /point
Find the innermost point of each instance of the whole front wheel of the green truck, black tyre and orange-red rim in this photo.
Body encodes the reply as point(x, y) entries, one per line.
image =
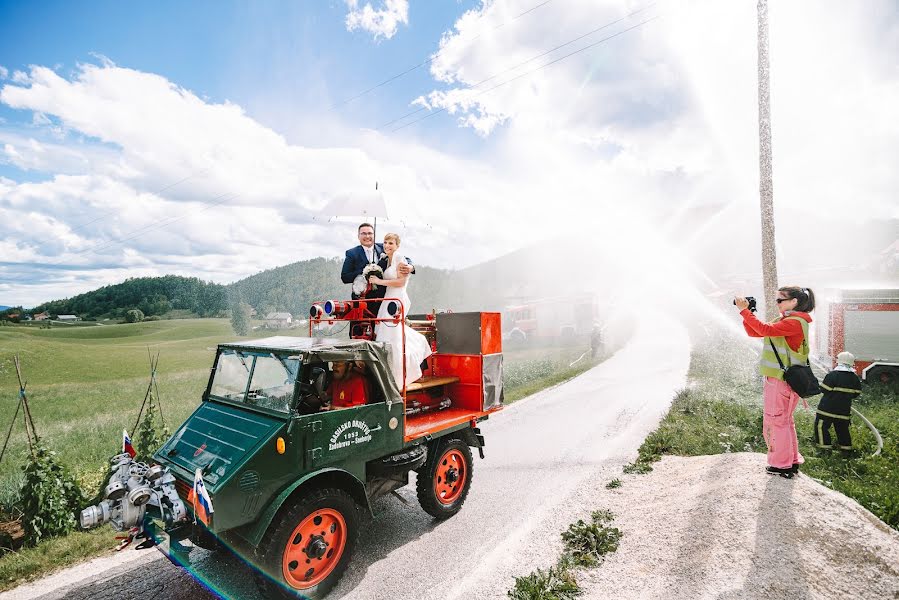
point(309, 545)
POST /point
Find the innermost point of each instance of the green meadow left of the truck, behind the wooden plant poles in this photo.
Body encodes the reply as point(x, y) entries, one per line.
point(85, 384)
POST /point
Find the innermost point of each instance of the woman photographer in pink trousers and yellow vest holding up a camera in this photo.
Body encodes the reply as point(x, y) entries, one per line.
point(788, 334)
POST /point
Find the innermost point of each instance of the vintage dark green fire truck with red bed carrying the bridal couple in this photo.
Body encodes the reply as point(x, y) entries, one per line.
point(261, 468)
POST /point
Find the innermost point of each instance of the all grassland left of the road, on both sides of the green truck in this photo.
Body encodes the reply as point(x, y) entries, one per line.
point(85, 384)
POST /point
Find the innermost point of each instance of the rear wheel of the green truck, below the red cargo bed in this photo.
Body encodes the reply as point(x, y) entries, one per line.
point(444, 480)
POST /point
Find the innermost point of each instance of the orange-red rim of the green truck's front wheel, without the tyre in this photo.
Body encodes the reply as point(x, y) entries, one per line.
point(314, 549)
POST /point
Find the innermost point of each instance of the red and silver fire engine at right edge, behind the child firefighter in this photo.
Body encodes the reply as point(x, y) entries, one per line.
point(864, 322)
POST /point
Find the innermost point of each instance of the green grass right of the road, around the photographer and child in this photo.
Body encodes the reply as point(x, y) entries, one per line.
point(721, 412)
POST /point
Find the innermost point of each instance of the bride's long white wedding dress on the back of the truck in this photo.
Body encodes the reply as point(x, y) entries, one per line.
point(417, 347)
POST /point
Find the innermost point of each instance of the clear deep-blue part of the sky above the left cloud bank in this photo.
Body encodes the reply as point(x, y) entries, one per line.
point(297, 56)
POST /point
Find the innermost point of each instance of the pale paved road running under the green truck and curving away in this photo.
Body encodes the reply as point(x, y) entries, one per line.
point(541, 455)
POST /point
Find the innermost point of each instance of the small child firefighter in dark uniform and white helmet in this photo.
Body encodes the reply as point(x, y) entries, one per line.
point(840, 387)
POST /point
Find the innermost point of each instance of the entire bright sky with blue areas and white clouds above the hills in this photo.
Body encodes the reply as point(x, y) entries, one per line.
point(208, 139)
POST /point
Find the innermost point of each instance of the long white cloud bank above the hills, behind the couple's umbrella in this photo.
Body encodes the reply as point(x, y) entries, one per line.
point(151, 177)
